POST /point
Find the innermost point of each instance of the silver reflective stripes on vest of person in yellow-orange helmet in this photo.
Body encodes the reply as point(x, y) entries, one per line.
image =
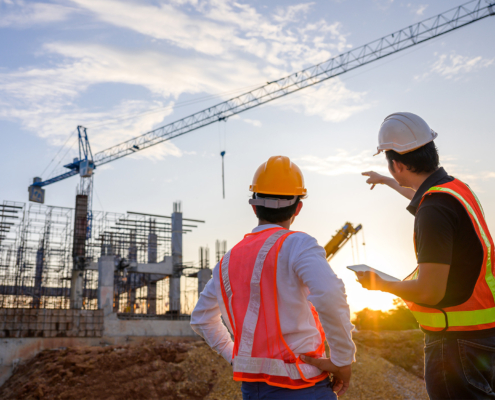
point(243, 361)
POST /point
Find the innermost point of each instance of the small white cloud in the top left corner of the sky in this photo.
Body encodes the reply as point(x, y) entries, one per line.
point(22, 14)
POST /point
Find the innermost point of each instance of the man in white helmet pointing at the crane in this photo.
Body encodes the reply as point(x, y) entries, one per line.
point(452, 290)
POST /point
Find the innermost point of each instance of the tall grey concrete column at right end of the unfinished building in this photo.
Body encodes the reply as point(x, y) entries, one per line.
point(174, 290)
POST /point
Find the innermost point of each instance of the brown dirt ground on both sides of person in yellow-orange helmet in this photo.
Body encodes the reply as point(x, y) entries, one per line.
point(188, 369)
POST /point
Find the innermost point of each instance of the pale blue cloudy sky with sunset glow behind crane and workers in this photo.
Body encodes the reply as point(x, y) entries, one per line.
point(122, 68)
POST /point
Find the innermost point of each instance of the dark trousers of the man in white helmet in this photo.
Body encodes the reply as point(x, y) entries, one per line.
point(459, 368)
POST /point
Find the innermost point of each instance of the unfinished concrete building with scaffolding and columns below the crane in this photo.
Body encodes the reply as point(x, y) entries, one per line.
point(63, 271)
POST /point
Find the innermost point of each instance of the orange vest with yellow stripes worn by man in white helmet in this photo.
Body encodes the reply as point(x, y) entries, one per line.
point(462, 319)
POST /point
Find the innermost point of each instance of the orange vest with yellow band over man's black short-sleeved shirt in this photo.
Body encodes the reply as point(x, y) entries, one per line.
point(478, 312)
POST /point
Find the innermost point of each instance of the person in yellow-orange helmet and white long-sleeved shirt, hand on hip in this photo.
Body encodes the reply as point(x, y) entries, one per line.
point(279, 299)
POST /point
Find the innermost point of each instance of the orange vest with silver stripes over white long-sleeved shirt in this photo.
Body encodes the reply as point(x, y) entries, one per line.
point(247, 277)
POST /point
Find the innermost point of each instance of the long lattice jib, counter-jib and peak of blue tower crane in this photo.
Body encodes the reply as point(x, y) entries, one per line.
point(395, 42)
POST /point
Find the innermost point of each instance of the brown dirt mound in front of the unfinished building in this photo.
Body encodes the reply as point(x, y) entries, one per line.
point(151, 370)
